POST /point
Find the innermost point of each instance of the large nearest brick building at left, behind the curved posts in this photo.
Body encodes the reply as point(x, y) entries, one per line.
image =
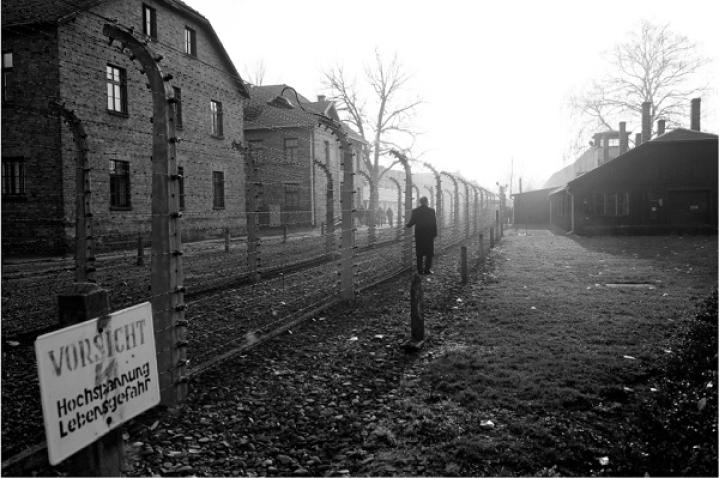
point(56, 51)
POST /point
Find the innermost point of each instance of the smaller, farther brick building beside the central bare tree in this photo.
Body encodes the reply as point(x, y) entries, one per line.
point(285, 142)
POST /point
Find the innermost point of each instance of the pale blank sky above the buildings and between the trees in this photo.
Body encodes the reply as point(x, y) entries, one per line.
point(495, 76)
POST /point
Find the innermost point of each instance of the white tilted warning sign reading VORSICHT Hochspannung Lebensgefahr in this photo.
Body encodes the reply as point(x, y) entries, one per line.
point(94, 376)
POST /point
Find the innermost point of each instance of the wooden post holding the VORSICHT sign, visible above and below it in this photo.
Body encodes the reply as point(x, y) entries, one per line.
point(86, 301)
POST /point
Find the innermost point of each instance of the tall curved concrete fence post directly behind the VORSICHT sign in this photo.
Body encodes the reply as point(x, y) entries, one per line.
point(168, 303)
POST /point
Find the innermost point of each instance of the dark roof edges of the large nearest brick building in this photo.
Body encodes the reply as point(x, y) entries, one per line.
point(27, 12)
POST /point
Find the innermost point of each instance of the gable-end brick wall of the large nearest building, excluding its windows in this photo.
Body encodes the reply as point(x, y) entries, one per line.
point(82, 54)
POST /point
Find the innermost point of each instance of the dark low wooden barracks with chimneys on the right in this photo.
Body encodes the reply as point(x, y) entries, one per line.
point(667, 184)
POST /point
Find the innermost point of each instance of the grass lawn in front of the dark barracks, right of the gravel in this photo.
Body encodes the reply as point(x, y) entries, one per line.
point(561, 363)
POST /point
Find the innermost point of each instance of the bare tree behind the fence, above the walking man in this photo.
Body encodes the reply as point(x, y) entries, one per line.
point(382, 116)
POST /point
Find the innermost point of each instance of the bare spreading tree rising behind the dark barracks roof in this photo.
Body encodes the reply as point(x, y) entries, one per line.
point(654, 65)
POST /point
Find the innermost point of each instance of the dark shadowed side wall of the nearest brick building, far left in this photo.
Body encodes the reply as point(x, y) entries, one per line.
point(36, 219)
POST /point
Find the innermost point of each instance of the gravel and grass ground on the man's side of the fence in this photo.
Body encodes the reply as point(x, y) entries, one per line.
point(538, 366)
